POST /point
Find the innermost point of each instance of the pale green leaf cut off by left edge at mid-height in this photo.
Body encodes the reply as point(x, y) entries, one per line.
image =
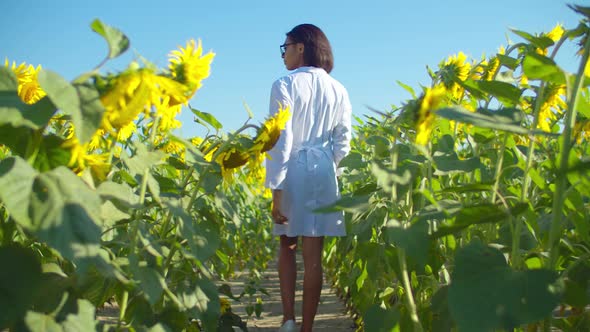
point(16, 183)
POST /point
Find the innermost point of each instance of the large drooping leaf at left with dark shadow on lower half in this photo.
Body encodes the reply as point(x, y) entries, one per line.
point(65, 212)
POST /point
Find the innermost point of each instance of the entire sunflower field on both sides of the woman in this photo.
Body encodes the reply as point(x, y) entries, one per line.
point(468, 207)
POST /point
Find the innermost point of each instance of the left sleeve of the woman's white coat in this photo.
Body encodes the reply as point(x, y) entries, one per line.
point(276, 164)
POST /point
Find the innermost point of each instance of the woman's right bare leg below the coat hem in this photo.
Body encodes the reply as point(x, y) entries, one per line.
point(312, 279)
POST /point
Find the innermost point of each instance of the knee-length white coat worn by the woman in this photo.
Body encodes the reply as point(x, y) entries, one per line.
point(305, 158)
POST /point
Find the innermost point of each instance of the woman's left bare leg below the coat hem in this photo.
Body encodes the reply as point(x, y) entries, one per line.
point(287, 275)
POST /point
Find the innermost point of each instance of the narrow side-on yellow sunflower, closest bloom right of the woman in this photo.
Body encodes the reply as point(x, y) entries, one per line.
point(430, 101)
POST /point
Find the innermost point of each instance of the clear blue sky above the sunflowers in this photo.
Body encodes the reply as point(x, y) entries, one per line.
point(375, 43)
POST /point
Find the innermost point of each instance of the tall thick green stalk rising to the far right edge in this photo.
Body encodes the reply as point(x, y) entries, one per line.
point(561, 181)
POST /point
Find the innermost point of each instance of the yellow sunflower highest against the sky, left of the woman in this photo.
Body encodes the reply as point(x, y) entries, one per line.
point(189, 67)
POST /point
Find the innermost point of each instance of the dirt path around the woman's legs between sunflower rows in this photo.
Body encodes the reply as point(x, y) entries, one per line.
point(331, 312)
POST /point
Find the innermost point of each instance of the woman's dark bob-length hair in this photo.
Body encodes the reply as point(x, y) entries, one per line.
point(317, 51)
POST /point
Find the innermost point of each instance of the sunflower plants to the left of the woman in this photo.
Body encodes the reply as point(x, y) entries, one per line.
point(100, 202)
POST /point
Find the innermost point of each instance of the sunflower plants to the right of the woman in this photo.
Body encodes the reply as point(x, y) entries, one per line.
point(469, 205)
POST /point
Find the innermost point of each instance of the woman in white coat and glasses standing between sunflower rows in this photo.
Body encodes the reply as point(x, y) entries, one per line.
point(302, 170)
